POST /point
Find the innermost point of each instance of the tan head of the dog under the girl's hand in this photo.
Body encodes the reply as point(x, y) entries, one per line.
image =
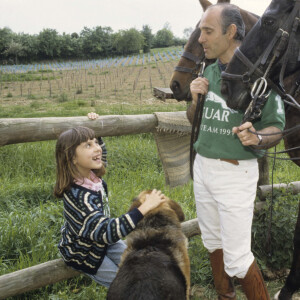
point(170, 205)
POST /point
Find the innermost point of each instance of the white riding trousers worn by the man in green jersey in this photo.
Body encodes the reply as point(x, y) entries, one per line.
point(225, 195)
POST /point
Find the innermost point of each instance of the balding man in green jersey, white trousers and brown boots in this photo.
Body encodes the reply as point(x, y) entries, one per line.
point(225, 168)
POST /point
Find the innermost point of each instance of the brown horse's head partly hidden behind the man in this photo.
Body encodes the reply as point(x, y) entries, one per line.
point(189, 64)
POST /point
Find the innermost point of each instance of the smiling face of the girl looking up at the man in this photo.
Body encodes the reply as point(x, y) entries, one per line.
point(87, 157)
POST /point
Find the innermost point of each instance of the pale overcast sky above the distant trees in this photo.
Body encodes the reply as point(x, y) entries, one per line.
point(32, 16)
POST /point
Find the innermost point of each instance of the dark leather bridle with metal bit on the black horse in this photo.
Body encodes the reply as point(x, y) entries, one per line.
point(280, 46)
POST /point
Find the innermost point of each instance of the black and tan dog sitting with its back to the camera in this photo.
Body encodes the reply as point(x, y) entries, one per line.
point(155, 265)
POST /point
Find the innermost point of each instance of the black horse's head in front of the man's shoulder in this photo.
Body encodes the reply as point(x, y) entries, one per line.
point(270, 50)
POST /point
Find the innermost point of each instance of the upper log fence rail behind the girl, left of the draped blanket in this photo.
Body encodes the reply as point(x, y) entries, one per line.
point(21, 130)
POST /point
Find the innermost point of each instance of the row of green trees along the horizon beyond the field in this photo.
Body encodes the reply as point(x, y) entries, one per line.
point(98, 42)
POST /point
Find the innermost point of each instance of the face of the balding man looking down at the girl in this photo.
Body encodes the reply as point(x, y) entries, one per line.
point(214, 42)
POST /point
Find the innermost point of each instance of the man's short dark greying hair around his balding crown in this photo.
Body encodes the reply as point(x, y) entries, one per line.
point(230, 14)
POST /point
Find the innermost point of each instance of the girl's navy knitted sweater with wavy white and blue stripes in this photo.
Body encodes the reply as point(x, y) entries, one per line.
point(87, 230)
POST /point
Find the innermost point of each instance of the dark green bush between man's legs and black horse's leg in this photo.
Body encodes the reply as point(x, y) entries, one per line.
point(284, 211)
